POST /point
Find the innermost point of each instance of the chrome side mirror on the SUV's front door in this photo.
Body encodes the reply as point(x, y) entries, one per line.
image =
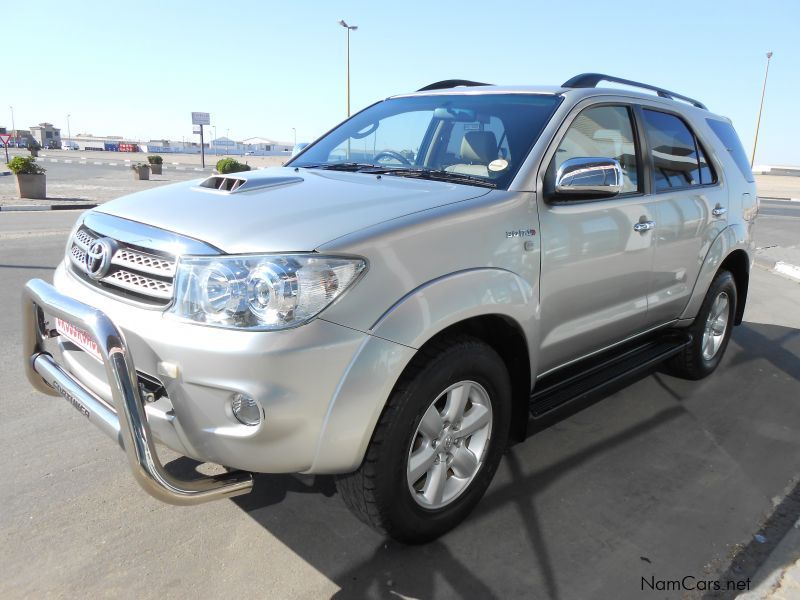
point(589, 176)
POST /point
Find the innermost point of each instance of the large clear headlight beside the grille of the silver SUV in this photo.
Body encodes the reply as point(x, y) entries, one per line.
point(266, 292)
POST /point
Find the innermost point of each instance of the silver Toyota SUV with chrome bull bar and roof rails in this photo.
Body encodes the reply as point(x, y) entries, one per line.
point(398, 302)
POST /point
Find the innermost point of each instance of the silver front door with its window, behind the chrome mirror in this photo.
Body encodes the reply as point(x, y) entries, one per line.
point(595, 267)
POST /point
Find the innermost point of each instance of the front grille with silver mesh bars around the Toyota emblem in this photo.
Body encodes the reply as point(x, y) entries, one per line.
point(132, 272)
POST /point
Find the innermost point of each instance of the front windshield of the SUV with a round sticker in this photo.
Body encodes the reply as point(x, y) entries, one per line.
point(477, 139)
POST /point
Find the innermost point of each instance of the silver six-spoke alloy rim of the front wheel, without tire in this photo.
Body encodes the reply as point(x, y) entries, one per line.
point(449, 445)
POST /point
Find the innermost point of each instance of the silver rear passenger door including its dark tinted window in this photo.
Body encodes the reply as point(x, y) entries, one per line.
point(690, 209)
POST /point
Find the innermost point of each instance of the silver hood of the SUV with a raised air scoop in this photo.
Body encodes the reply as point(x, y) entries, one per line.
point(284, 209)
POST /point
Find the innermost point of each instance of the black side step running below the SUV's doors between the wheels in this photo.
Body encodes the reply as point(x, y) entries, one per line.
point(590, 375)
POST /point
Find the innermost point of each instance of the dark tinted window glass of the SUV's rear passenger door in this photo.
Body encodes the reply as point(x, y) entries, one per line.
point(678, 158)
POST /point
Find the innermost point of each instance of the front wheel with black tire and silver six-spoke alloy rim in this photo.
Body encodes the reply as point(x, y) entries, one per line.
point(437, 444)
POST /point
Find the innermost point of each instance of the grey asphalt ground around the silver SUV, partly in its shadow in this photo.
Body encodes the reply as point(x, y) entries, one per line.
point(662, 478)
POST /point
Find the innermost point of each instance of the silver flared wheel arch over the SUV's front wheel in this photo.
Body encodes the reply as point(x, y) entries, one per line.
point(494, 305)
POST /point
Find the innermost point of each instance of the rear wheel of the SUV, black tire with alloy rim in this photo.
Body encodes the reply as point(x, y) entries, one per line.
point(710, 331)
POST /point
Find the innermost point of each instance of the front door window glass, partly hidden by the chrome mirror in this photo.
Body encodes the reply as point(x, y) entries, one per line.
point(606, 132)
